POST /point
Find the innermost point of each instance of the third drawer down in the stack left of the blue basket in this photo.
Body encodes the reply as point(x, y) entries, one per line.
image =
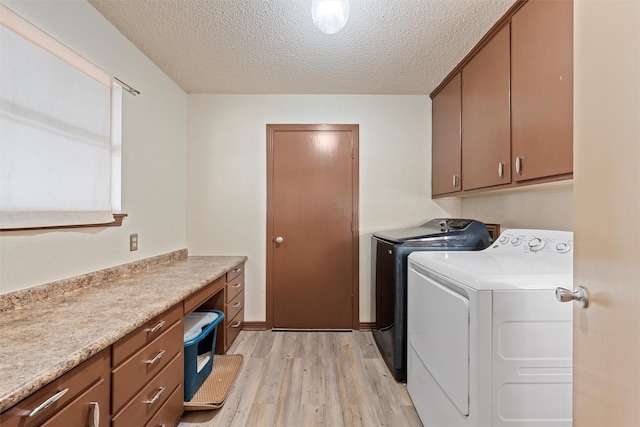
point(147, 402)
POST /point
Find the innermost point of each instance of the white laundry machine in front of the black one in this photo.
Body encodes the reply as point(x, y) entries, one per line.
point(488, 343)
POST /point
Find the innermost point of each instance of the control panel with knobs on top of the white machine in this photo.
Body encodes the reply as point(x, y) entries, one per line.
point(548, 242)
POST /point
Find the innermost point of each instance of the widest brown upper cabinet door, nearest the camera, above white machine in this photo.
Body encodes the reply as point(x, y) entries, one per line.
point(542, 89)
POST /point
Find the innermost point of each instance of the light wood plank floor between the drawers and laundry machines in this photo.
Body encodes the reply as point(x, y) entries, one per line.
point(307, 379)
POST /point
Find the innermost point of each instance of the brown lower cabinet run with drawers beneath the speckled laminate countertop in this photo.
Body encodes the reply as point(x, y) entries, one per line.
point(139, 380)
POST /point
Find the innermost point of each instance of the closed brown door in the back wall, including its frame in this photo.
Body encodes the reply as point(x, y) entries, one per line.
point(312, 209)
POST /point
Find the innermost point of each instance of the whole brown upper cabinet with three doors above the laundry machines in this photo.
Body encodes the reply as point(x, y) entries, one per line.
point(504, 116)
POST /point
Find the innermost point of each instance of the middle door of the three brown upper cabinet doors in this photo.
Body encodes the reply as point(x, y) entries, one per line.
point(486, 127)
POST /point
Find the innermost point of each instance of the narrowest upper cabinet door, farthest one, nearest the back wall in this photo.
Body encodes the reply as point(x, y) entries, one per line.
point(446, 149)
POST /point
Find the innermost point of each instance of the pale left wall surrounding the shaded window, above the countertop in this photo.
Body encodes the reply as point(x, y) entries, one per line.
point(153, 165)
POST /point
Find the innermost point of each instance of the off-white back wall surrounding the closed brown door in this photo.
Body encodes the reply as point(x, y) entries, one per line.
point(226, 179)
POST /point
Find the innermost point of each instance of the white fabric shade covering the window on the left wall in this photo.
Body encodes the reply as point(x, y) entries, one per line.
point(55, 136)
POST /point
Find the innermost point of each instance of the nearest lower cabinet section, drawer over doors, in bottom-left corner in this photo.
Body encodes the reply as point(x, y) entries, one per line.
point(78, 398)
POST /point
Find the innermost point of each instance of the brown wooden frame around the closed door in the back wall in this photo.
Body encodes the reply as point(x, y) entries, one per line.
point(355, 233)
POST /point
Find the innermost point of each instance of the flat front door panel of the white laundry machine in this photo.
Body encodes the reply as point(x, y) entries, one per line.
point(439, 335)
